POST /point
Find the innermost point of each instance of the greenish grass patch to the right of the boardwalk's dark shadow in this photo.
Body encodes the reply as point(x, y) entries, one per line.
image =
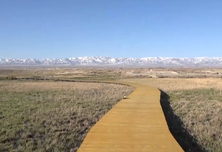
point(201, 112)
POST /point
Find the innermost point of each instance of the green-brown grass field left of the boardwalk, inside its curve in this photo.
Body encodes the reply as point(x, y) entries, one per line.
point(52, 116)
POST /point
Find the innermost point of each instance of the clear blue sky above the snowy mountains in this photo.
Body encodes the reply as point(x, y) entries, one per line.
point(115, 28)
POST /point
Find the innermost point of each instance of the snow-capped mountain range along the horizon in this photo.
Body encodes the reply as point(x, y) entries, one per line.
point(92, 61)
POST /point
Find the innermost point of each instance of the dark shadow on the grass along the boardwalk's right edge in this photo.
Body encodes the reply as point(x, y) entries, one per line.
point(182, 136)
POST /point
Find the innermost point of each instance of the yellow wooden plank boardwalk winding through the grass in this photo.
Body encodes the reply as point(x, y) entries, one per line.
point(136, 124)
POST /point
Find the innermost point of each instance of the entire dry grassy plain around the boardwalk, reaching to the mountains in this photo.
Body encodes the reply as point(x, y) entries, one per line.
point(192, 105)
